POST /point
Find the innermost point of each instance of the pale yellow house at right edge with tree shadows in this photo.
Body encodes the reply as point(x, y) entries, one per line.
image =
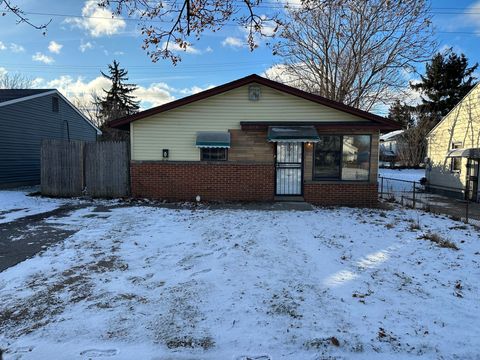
point(454, 149)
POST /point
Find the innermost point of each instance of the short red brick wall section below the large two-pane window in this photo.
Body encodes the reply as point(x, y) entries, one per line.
point(346, 194)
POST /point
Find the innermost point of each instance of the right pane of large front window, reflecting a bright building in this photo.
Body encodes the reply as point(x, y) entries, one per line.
point(356, 157)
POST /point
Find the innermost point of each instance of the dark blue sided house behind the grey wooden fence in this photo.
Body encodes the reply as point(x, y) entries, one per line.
point(26, 118)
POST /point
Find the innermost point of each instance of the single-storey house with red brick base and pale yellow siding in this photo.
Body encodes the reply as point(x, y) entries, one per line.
point(254, 139)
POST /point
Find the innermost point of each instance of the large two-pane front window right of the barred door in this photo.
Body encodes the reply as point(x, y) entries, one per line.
point(342, 157)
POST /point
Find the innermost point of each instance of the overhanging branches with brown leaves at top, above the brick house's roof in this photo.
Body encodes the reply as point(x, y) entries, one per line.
point(184, 19)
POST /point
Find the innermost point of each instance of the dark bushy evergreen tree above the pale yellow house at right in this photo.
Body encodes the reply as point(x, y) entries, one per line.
point(448, 78)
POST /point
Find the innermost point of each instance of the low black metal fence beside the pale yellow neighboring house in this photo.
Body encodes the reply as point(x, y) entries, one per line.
point(436, 199)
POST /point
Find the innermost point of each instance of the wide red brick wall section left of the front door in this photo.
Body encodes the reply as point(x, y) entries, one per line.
point(183, 181)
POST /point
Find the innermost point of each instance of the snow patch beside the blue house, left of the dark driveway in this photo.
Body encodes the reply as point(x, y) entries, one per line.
point(16, 203)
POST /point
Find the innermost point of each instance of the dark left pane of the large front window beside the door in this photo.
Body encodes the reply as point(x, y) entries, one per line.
point(327, 157)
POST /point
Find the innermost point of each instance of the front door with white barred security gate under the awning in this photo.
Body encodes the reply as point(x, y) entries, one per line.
point(289, 168)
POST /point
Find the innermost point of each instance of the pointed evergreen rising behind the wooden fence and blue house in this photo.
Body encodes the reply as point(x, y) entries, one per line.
point(118, 101)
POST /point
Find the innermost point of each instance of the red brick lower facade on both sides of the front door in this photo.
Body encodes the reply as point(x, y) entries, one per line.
point(235, 181)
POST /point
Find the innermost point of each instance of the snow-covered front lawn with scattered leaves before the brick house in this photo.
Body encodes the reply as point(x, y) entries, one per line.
point(152, 283)
